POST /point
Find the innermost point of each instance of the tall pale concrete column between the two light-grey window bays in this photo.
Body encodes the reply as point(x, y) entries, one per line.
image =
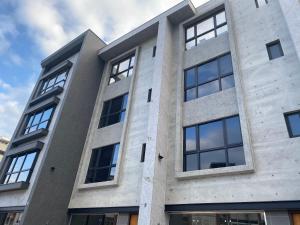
point(153, 189)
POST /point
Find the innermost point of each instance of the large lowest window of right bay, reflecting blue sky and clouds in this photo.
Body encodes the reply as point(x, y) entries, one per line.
point(214, 144)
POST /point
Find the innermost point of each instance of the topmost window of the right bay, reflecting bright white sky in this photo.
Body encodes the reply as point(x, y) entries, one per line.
point(205, 29)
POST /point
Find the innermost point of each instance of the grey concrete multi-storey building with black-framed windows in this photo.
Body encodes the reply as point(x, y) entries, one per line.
point(192, 118)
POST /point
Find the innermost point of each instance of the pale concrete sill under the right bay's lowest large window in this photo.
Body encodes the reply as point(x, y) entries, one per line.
point(214, 172)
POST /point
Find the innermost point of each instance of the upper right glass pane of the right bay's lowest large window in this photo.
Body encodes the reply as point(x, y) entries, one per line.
point(233, 130)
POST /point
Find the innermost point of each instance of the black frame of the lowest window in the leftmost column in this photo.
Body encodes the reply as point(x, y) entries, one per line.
point(11, 160)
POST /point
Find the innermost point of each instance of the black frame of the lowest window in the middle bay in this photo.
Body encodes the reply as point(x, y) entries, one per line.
point(96, 168)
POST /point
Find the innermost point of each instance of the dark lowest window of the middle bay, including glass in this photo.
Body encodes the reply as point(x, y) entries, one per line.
point(103, 164)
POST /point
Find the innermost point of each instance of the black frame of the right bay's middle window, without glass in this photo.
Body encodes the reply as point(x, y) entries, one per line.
point(219, 78)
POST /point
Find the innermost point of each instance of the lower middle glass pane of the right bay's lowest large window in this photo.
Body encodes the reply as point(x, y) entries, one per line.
point(213, 159)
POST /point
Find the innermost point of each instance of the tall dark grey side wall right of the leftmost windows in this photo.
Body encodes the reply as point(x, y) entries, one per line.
point(48, 202)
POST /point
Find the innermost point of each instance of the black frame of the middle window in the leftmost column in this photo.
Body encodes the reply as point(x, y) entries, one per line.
point(27, 120)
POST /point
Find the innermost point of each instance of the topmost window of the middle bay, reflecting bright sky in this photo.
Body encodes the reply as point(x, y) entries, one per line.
point(122, 69)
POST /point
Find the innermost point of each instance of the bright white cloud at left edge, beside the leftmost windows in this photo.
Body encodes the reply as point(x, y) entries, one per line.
point(13, 101)
